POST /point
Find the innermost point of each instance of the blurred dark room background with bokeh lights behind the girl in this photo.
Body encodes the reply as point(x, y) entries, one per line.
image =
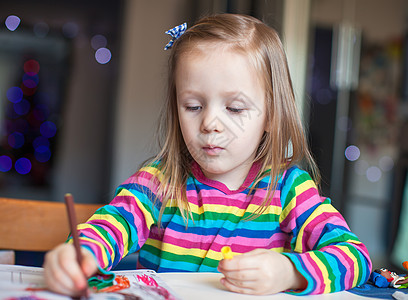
point(82, 82)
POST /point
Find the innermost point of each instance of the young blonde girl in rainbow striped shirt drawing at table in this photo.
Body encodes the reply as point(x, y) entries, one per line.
point(227, 174)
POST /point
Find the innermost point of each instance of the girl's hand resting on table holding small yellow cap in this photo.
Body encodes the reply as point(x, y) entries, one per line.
point(260, 272)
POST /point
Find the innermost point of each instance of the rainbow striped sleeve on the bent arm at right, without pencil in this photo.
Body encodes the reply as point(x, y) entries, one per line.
point(325, 251)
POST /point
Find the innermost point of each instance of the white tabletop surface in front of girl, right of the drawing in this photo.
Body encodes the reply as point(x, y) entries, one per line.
point(207, 286)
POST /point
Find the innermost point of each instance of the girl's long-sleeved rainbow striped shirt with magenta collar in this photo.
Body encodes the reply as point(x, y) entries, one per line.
point(298, 223)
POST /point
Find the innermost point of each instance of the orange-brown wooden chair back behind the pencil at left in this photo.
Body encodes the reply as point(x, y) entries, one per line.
point(31, 225)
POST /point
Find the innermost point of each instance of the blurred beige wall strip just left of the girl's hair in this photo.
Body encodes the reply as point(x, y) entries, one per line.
point(142, 82)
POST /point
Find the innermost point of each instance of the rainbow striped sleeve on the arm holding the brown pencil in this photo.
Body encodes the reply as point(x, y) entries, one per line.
point(121, 227)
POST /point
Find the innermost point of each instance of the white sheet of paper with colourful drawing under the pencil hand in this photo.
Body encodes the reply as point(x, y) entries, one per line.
point(19, 282)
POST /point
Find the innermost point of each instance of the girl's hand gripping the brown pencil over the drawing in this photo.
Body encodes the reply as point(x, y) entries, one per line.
point(63, 274)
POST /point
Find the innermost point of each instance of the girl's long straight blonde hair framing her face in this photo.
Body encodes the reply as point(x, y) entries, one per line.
point(283, 144)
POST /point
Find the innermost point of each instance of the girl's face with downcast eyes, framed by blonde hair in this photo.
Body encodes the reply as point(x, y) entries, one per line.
point(221, 108)
